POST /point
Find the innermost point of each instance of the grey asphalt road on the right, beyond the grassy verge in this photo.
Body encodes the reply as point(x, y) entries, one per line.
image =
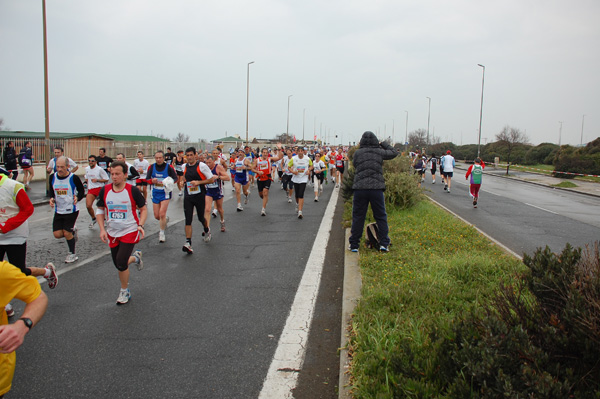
point(520, 215)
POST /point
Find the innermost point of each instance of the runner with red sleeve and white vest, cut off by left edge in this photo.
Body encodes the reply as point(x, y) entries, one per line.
point(14, 231)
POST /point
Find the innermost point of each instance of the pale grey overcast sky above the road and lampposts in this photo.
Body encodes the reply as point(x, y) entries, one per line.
point(141, 67)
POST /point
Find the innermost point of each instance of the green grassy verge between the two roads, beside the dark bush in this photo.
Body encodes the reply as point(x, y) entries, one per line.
point(438, 268)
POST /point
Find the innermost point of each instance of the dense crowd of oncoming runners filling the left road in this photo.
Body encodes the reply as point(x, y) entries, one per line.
point(118, 194)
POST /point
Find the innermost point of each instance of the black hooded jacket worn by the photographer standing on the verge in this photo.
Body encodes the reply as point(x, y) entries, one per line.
point(368, 162)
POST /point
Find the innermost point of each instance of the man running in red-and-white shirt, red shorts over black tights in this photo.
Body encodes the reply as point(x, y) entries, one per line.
point(117, 203)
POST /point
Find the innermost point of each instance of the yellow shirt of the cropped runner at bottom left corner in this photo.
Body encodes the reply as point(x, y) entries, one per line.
point(13, 284)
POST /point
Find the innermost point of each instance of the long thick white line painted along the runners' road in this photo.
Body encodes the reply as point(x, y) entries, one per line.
point(287, 362)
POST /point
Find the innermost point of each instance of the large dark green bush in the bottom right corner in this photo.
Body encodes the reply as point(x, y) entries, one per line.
point(538, 338)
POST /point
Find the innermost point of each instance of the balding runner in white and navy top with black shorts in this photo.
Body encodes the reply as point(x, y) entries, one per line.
point(66, 190)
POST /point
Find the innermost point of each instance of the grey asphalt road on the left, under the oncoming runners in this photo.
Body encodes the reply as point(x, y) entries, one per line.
point(198, 326)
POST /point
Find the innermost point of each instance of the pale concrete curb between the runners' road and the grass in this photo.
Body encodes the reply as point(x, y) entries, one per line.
point(351, 295)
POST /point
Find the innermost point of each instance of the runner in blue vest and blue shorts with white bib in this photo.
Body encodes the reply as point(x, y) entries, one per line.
point(157, 172)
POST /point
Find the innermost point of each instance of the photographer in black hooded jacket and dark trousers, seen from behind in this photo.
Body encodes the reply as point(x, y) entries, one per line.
point(368, 187)
